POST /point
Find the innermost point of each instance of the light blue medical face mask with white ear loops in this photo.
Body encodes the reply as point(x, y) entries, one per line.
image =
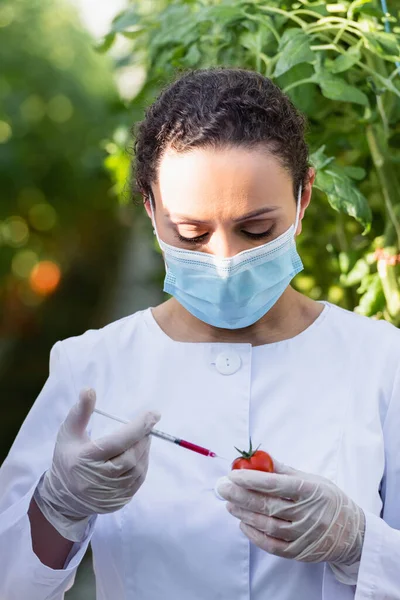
point(233, 292)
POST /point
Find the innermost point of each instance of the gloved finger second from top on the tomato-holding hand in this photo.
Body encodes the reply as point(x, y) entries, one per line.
point(256, 501)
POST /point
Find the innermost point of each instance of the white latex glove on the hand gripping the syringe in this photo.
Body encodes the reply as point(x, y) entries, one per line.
point(91, 477)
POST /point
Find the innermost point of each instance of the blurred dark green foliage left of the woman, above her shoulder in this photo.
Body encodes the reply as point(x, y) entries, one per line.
point(58, 103)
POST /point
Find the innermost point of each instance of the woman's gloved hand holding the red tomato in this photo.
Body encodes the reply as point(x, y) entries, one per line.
point(296, 515)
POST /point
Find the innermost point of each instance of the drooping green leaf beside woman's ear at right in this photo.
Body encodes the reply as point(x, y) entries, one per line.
point(344, 196)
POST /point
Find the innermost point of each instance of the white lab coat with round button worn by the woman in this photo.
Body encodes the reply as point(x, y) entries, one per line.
point(326, 401)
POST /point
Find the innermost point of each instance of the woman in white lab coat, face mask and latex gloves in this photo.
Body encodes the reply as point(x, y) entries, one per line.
point(236, 352)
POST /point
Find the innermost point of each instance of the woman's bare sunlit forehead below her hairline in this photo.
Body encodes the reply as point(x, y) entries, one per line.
point(234, 178)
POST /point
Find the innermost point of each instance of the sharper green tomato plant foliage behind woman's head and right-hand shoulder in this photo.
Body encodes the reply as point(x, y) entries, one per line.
point(339, 66)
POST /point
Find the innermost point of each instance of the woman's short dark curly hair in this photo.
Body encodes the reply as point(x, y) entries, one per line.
point(220, 107)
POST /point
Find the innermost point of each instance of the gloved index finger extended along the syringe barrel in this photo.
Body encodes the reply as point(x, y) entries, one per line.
point(123, 438)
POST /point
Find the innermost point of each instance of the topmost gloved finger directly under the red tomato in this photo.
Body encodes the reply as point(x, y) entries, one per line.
point(273, 484)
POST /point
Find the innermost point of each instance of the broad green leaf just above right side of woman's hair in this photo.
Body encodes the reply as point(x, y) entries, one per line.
point(294, 48)
